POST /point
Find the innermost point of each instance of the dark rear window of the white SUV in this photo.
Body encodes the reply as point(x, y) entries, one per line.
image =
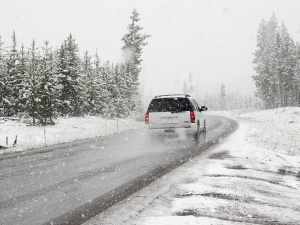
point(170, 105)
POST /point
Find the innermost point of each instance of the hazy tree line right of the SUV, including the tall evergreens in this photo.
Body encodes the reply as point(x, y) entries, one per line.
point(277, 79)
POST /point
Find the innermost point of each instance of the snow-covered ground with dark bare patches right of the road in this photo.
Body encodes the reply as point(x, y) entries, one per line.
point(251, 177)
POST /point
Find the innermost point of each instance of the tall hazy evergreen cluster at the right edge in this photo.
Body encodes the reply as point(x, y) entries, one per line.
point(277, 65)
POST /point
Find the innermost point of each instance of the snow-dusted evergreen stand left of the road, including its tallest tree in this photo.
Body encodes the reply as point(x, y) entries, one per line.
point(42, 83)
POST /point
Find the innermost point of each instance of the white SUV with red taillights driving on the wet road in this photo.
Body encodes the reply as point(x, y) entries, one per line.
point(172, 112)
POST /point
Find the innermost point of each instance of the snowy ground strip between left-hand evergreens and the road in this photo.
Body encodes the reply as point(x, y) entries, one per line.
point(65, 130)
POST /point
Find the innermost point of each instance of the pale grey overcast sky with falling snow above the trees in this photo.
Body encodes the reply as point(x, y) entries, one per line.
point(213, 40)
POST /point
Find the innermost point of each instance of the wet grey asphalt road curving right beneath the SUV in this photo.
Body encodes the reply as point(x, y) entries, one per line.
point(70, 183)
